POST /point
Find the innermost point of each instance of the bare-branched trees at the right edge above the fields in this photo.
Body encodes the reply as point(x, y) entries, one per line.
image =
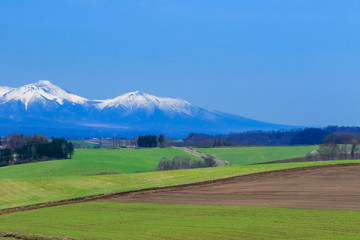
point(338, 146)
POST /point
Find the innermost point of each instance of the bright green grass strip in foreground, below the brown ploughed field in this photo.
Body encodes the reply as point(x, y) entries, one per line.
point(109, 220)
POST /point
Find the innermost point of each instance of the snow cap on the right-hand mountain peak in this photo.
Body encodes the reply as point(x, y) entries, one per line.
point(137, 100)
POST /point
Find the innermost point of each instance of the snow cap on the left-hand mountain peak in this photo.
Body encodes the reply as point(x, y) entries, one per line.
point(41, 91)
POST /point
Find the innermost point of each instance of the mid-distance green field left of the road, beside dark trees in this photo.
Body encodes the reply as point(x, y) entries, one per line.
point(95, 161)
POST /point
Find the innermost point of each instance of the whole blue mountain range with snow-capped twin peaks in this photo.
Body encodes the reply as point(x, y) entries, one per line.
point(45, 108)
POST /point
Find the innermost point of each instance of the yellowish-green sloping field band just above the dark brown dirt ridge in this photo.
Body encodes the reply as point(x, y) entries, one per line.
point(24, 192)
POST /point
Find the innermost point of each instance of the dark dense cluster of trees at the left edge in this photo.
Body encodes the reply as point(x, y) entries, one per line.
point(18, 149)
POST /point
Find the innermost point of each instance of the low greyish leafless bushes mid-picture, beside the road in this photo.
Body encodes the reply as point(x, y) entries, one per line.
point(180, 162)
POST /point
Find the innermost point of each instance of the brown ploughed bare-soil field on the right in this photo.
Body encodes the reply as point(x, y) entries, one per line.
point(330, 187)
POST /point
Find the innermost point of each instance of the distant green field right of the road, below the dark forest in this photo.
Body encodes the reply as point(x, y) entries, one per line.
point(252, 155)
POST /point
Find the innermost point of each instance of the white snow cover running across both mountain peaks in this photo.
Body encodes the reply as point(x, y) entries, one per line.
point(44, 91)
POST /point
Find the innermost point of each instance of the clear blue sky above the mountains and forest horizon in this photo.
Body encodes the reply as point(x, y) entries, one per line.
point(291, 62)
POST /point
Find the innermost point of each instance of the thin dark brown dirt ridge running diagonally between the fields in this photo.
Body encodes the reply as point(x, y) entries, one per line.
point(173, 187)
